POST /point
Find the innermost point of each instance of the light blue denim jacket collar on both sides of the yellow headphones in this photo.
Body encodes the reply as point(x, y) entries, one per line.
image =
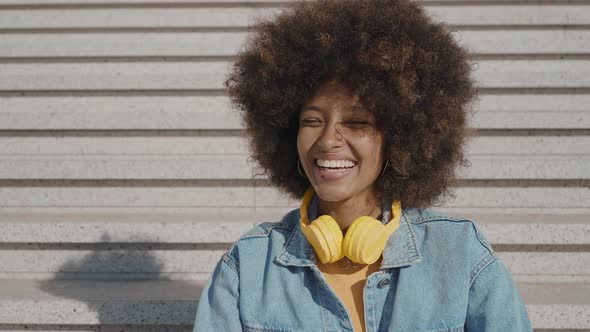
point(400, 250)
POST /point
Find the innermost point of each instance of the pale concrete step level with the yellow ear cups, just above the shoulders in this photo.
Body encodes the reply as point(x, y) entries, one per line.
point(210, 227)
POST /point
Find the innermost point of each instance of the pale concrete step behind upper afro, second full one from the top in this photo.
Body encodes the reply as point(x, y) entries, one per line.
point(552, 40)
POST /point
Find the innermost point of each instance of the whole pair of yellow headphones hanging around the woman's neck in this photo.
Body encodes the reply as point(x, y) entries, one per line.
point(364, 241)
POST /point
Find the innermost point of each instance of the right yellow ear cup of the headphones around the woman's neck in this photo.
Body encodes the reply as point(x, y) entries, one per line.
point(358, 244)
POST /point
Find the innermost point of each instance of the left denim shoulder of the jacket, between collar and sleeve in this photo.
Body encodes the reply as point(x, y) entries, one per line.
point(260, 237)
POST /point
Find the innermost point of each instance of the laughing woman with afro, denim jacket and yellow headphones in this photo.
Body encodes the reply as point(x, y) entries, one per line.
point(358, 109)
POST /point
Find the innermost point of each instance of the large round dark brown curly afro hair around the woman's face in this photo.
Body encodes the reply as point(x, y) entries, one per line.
point(407, 70)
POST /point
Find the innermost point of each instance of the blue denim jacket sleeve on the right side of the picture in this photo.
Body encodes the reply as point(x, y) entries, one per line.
point(494, 303)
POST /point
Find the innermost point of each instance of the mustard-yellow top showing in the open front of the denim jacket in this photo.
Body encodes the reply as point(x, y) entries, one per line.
point(349, 285)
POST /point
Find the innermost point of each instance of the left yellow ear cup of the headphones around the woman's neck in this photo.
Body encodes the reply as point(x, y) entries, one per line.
point(325, 237)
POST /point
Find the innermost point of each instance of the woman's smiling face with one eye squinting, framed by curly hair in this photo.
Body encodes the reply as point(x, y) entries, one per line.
point(338, 144)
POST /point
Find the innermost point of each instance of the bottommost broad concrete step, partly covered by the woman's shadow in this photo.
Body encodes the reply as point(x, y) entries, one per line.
point(68, 302)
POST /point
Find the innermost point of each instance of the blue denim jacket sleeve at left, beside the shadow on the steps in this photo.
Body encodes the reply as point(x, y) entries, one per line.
point(218, 305)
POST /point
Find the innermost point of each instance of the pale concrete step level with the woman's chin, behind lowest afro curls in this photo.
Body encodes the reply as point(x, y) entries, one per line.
point(540, 197)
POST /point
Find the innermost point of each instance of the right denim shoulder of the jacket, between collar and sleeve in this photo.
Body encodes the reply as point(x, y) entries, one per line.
point(454, 235)
